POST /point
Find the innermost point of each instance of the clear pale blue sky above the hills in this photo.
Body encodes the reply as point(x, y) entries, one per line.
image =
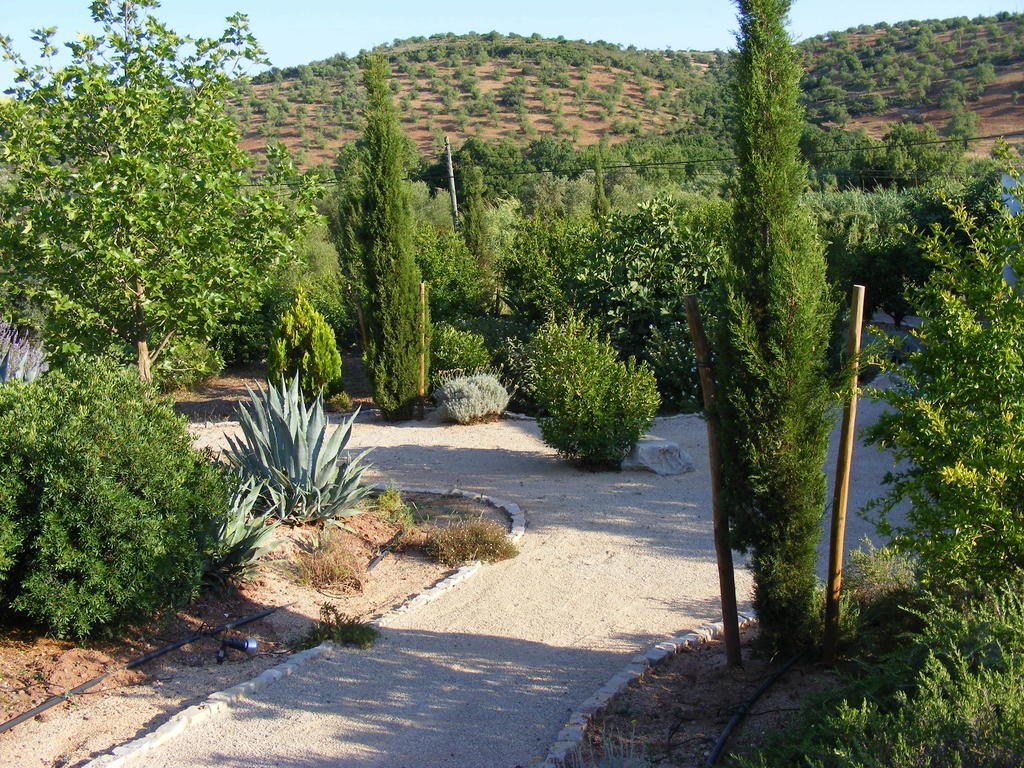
point(296, 32)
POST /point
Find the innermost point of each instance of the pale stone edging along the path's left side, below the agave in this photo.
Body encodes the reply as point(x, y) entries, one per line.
point(221, 702)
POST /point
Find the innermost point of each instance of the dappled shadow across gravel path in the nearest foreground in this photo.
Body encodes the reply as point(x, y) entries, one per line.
point(416, 700)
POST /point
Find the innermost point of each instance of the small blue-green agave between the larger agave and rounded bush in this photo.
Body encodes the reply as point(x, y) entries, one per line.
point(240, 539)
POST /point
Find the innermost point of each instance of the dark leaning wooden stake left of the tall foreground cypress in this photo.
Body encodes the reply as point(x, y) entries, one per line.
point(723, 551)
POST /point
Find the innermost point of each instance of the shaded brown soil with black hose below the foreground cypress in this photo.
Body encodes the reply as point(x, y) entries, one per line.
point(674, 714)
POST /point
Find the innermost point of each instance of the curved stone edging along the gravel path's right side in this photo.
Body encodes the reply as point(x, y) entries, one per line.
point(572, 737)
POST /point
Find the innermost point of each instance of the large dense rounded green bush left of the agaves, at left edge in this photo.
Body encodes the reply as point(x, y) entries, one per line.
point(105, 505)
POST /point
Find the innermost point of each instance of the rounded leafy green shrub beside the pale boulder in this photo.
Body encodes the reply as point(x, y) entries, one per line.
point(595, 407)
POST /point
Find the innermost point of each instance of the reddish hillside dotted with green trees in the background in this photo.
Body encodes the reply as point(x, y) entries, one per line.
point(518, 89)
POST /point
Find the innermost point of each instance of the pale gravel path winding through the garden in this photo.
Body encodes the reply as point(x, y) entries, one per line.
point(486, 675)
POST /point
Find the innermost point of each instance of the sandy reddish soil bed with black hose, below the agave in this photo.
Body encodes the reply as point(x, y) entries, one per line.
point(133, 703)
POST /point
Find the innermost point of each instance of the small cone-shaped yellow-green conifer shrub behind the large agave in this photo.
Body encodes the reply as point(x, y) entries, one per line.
point(305, 347)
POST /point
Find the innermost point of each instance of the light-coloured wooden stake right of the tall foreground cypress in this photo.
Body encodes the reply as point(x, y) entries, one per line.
point(841, 492)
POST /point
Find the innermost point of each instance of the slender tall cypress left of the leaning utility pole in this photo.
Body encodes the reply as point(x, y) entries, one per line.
point(393, 279)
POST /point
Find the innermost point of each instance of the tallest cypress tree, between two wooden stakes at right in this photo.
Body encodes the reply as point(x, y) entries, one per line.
point(776, 317)
